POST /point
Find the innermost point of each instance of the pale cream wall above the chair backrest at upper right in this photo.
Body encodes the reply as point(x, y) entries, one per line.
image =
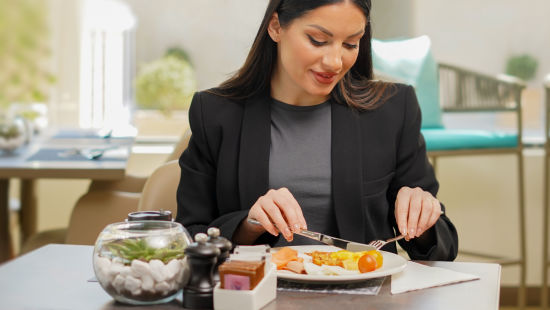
point(481, 35)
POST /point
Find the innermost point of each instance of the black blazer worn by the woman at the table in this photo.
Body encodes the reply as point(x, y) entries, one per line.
point(374, 153)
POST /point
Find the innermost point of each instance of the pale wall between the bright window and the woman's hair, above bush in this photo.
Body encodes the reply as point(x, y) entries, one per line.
point(216, 33)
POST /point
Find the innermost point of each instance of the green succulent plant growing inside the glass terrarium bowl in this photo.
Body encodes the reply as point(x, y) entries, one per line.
point(130, 249)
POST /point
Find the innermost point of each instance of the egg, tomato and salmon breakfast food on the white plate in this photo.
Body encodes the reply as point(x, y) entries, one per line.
point(328, 263)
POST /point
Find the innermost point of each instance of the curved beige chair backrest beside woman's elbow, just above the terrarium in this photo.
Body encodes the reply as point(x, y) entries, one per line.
point(160, 189)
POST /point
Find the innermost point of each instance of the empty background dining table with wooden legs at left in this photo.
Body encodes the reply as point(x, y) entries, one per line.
point(61, 153)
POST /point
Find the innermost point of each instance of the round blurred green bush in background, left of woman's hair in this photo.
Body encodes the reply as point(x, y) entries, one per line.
point(166, 84)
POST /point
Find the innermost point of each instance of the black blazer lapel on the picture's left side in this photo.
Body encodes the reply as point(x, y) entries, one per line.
point(254, 150)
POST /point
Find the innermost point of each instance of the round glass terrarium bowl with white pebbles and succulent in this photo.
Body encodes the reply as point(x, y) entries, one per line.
point(142, 262)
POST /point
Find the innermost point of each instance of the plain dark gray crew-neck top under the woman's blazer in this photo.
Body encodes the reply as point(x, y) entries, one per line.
point(300, 160)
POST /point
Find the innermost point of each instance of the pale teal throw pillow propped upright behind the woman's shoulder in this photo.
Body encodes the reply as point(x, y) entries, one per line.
point(411, 62)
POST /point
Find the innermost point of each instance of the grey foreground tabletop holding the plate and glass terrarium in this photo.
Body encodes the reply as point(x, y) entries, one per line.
point(60, 277)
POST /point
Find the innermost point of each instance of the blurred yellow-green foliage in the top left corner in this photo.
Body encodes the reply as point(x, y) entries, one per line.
point(24, 52)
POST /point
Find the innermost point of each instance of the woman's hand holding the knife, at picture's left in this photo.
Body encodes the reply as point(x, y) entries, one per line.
point(278, 211)
